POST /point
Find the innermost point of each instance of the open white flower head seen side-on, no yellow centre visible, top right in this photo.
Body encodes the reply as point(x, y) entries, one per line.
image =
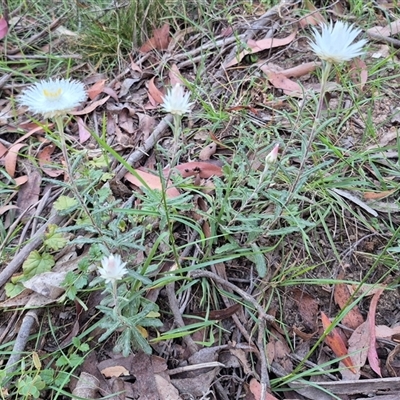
point(335, 42)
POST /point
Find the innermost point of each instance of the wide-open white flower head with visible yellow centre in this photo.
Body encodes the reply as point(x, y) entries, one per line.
point(53, 97)
